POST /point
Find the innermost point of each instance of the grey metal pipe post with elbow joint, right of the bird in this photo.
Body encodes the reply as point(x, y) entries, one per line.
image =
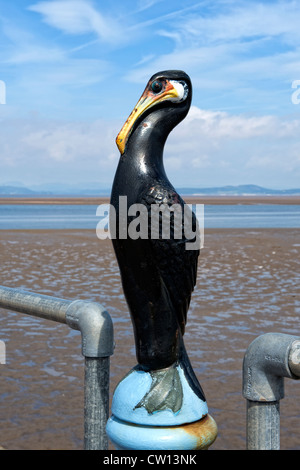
point(268, 359)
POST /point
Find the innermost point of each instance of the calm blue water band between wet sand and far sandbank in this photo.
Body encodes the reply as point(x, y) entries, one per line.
point(84, 216)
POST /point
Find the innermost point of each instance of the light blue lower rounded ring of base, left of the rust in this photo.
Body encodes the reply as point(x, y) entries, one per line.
point(127, 436)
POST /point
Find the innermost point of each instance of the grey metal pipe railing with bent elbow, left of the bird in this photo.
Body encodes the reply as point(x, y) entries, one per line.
point(96, 328)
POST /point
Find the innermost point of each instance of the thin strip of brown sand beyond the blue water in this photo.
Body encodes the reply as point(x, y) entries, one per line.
point(217, 200)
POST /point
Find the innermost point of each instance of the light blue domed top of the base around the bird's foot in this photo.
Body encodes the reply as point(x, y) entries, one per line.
point(133, 388)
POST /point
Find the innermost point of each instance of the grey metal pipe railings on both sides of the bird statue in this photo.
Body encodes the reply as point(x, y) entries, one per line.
point(268, 360)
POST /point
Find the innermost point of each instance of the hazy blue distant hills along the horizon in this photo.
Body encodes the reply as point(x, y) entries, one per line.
point(95, 190)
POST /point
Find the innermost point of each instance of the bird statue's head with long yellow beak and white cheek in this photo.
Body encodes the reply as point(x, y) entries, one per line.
point(170, 89)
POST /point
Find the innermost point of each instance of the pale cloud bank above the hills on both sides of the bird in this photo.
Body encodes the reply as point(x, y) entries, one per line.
point(207, 148)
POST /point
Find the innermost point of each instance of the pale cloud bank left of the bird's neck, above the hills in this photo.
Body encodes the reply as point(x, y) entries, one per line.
point(37, 150)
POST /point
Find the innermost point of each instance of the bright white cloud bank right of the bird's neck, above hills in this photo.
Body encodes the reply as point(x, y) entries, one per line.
point(221, 148)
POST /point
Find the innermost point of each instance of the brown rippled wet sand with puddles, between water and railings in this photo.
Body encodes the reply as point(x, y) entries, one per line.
point(248, 284)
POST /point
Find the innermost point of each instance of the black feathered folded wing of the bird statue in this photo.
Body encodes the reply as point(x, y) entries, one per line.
point(176, 265)
